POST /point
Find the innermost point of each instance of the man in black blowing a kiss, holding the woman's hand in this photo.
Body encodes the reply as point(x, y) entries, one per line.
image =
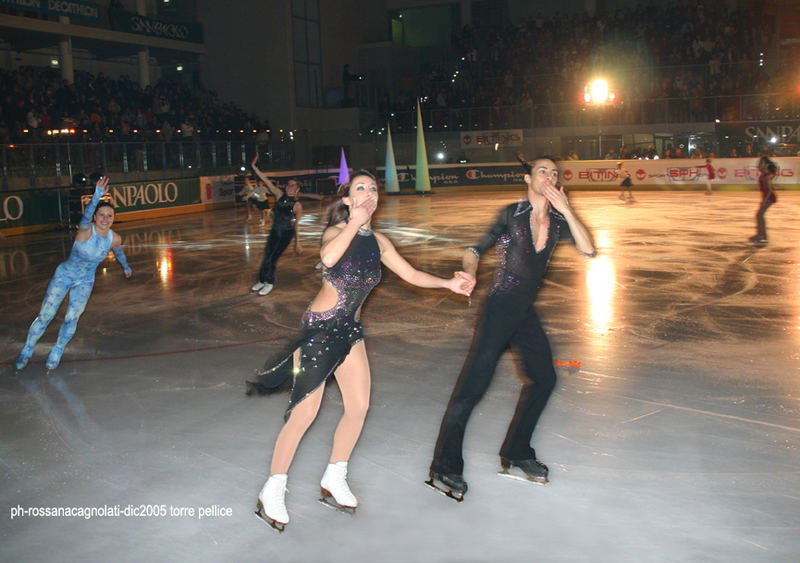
point(526, 233)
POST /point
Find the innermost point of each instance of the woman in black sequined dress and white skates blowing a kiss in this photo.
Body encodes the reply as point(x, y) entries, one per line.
point(332, 344)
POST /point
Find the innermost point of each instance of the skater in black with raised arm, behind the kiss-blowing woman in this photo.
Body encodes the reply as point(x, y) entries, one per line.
point(285, 219)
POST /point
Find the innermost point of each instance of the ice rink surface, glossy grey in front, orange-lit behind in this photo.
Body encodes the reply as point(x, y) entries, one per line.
point(678, 439)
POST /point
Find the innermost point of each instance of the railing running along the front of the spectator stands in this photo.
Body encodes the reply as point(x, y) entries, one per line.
point(54, 163)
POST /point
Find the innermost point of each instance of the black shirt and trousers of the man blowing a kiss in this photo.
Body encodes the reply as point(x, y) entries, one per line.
point(507, 317)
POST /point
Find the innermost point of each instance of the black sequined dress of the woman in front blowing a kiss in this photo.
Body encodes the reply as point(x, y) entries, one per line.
point(329, 335)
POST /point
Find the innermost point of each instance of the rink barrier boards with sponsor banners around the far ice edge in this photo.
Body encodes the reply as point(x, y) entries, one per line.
point(25, 211)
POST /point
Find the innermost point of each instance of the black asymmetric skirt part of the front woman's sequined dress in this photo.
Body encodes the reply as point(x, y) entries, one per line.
point(322, 346)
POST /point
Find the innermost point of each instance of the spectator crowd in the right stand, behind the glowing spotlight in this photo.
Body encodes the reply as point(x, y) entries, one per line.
point(703, 57)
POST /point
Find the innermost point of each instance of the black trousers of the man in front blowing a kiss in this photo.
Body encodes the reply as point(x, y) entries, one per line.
point(507, 319)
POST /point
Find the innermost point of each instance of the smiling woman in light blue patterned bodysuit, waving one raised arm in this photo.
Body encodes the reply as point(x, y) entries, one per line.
point(76, 276)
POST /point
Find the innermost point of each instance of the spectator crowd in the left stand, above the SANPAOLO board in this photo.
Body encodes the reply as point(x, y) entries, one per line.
point(35, 100)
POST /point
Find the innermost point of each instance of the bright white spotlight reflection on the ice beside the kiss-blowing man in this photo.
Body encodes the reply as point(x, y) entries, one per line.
point(601, 284)
